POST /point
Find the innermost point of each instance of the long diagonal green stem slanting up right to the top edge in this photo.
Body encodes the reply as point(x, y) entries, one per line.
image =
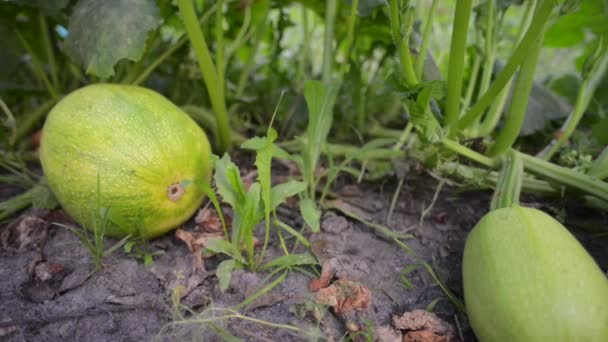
point(541, 17)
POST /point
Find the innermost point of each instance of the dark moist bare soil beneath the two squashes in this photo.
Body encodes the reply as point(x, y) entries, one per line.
point(48, 292)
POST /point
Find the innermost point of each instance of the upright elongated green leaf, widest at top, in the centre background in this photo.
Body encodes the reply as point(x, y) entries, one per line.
point(320, 99)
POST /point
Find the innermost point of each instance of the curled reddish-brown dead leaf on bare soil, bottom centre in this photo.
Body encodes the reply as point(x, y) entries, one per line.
point(344, 295)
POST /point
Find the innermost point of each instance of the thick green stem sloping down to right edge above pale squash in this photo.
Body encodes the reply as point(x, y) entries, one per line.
point(565, 176)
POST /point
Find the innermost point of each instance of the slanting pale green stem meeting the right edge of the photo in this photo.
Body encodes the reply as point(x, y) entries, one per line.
point(583, 99)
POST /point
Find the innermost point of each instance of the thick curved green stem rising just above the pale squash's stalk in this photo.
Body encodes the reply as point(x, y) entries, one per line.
point(519, 102)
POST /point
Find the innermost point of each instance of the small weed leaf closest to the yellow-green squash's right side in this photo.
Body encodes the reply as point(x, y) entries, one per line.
point(228, 181)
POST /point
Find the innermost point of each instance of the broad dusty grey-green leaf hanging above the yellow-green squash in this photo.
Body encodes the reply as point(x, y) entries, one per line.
point(101, 33)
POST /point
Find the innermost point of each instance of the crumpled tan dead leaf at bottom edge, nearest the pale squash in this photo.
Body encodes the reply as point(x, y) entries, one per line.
point(423, 326)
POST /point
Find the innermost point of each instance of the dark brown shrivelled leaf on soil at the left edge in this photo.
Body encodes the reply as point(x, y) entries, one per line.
point(24, 233)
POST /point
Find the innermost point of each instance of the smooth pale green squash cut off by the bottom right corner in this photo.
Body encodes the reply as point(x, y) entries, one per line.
point(526, 278)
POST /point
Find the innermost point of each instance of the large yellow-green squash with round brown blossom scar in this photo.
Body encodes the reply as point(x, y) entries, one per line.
point(144, 151)
